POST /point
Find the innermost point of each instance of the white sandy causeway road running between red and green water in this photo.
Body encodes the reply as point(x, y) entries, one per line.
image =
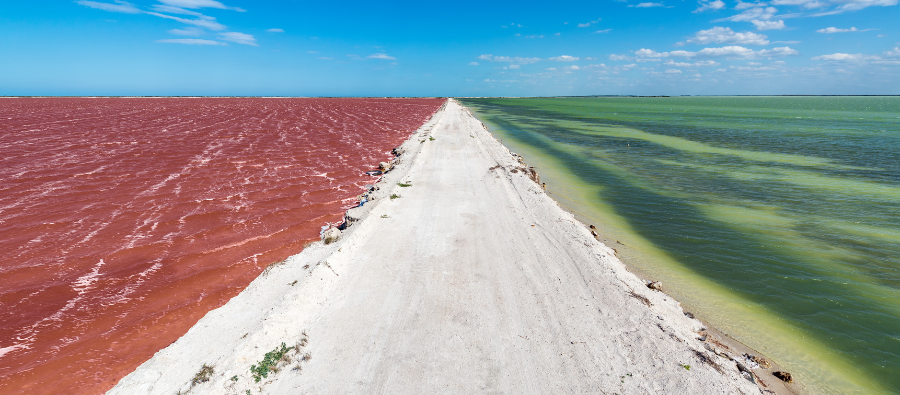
point(470, 280)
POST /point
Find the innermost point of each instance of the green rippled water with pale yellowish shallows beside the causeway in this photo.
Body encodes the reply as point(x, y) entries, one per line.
point(776, 219)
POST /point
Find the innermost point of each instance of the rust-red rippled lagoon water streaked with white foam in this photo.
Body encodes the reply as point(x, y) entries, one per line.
point(123, 221)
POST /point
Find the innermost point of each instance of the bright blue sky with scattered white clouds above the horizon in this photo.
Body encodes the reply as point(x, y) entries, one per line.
point(454, 48)
